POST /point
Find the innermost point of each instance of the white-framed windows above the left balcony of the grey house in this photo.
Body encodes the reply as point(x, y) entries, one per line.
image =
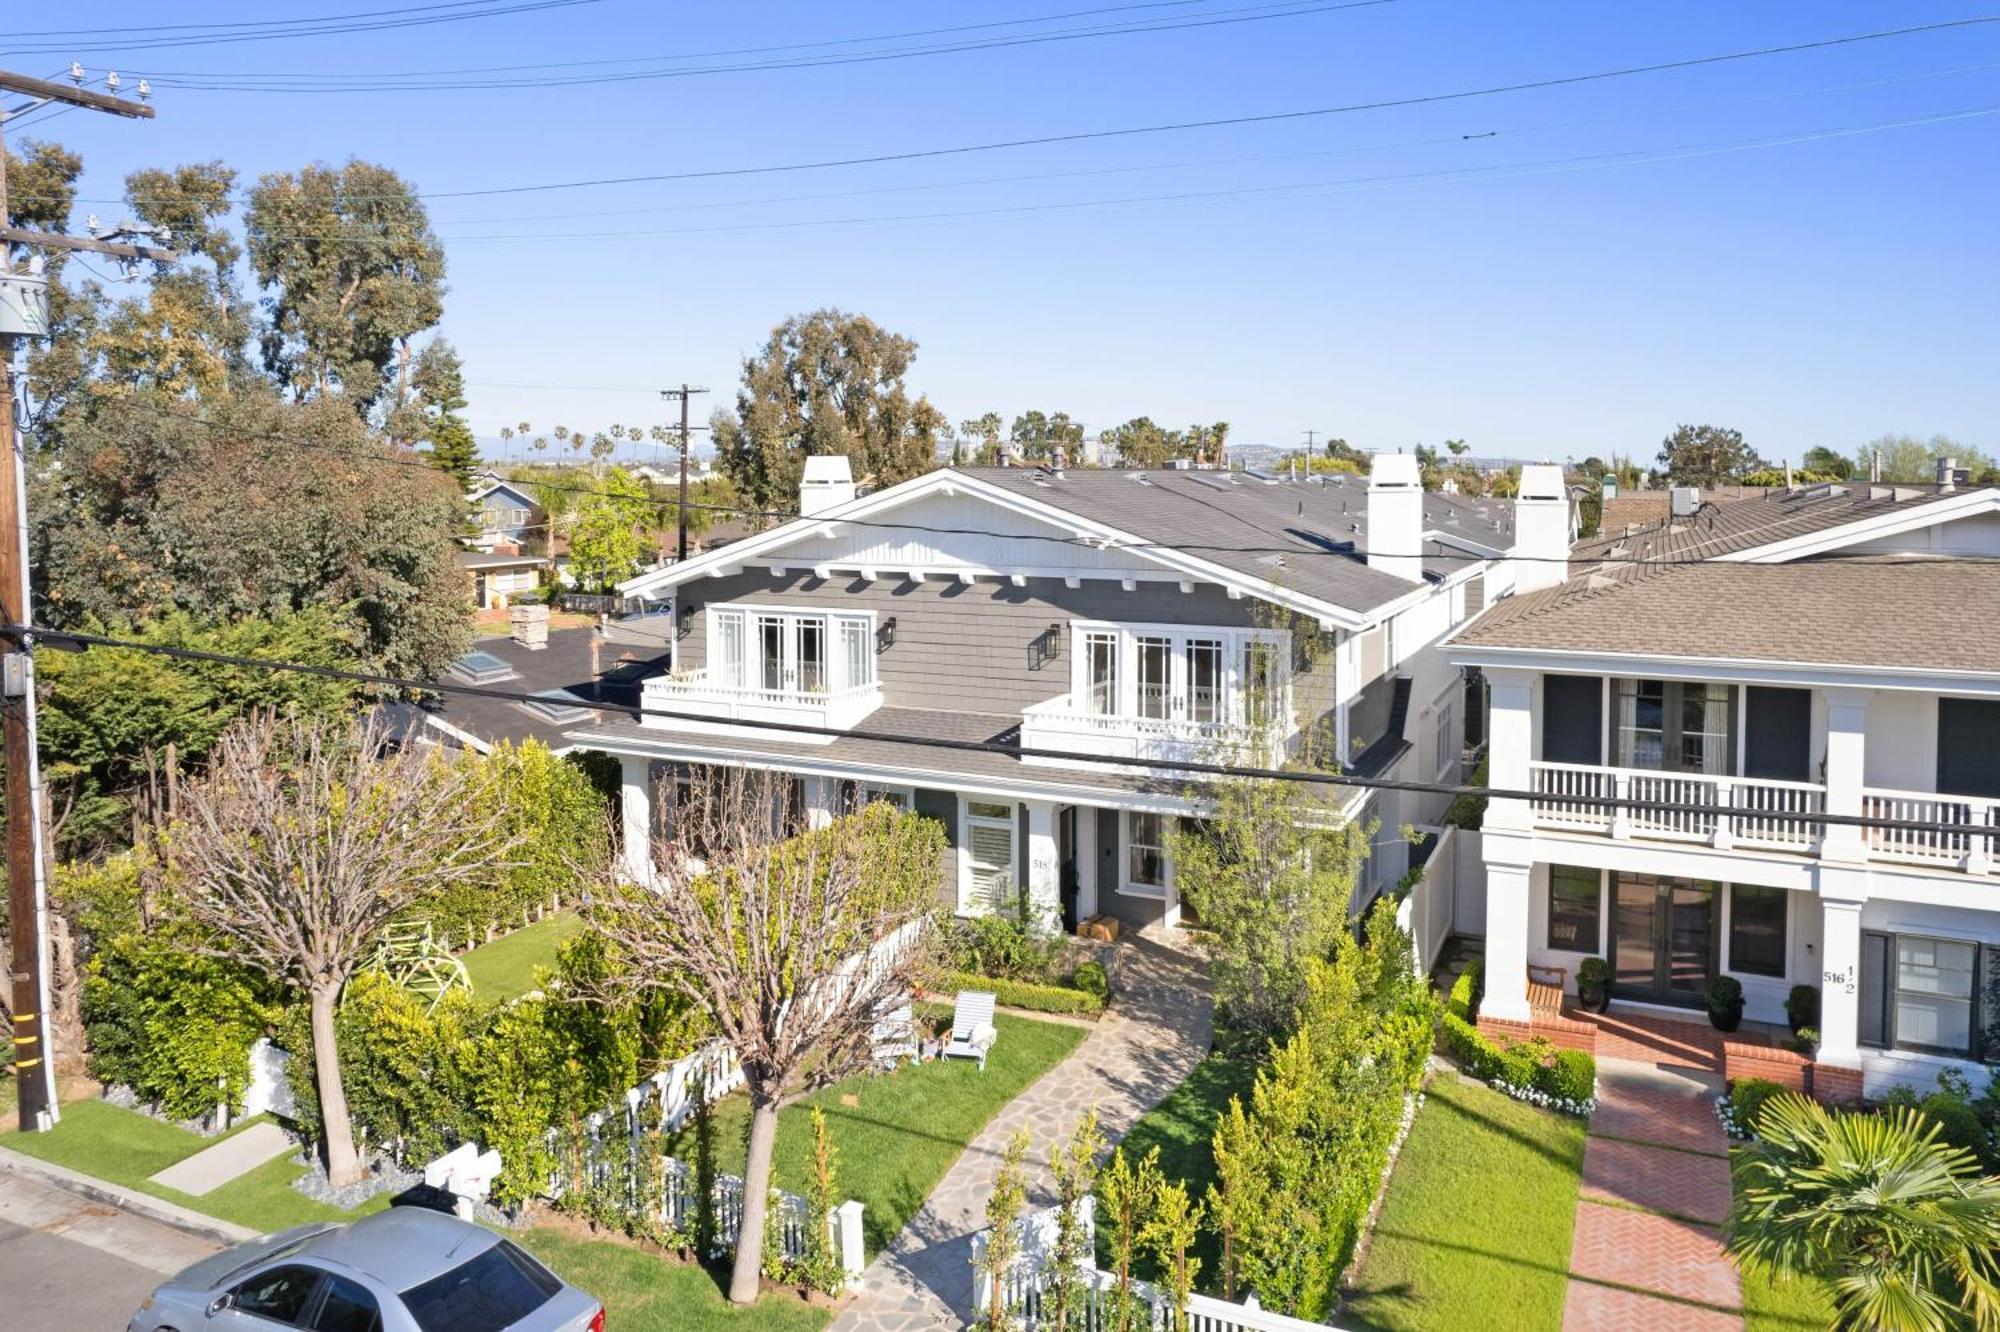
point(791, 653)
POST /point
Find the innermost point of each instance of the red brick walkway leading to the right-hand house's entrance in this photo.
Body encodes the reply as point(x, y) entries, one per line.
point(1657, 1185)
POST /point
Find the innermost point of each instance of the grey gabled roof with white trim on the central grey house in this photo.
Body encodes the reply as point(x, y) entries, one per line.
point(1293, 543)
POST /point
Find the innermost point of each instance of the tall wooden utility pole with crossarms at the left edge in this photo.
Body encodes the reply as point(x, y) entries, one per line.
point(25, 313)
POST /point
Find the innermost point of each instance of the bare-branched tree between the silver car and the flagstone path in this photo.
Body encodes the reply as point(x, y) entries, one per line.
point(797, 943)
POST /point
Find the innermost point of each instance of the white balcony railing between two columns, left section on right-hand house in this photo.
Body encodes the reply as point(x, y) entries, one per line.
point(1567, 799)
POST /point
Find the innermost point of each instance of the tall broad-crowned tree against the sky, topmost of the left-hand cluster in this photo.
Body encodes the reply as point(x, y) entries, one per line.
point(355, 275)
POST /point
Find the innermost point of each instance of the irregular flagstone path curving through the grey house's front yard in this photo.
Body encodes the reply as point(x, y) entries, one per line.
point(1151, 1039)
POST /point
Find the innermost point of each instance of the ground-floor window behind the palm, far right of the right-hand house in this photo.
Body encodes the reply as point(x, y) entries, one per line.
point(1921, 993)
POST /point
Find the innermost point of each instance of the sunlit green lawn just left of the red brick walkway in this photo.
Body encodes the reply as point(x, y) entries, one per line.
point(1477, 1225)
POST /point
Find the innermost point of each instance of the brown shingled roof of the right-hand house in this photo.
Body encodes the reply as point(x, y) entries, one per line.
point(1763, 581)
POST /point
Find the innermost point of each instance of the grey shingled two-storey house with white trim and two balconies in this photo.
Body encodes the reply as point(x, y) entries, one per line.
point(1047, 617)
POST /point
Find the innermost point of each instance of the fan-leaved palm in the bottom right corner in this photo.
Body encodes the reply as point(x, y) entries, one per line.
point(1899, 1223)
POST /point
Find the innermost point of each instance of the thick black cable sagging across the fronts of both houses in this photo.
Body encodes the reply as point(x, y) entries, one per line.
point(83, 639)
